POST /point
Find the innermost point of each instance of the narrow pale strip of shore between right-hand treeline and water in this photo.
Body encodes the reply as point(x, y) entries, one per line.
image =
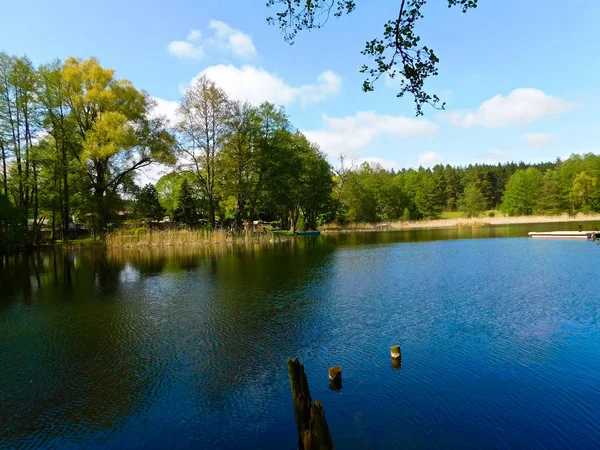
point(460, 222)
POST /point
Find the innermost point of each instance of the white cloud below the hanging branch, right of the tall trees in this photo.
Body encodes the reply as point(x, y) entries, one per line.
point(349, 135)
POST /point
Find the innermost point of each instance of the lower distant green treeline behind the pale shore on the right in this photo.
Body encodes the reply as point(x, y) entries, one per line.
point(370, 193)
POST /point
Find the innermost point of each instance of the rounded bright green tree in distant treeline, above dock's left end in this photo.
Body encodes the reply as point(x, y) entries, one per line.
point(522, 192)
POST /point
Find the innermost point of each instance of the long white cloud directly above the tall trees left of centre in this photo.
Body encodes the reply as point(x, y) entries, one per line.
point(256, 85)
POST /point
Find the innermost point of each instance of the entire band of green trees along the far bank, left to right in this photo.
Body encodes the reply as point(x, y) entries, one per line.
point(73, 138)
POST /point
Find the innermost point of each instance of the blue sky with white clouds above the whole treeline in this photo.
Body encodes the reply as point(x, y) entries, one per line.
point(520, 78)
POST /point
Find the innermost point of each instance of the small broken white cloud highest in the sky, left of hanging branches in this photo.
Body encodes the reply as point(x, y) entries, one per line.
point(226, 39)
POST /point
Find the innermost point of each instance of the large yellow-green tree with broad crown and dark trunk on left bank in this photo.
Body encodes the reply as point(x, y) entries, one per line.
point(117, 135)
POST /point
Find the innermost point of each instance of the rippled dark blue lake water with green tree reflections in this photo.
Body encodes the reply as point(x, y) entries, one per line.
point(187, 349)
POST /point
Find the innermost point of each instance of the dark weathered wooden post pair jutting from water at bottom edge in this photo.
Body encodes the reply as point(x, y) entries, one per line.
point(313, 431)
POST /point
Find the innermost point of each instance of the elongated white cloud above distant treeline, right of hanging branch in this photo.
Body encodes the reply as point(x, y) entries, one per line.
point(520, 107)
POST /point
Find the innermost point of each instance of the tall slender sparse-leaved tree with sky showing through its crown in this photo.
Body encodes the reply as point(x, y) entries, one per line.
point(202, 128)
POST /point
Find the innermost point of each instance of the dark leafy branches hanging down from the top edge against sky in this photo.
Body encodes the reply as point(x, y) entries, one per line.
point(398, 54)
